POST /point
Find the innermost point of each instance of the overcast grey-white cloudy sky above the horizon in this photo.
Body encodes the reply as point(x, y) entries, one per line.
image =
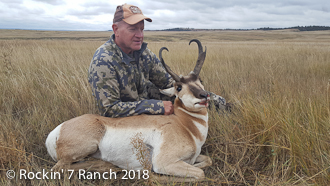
point(209, 14)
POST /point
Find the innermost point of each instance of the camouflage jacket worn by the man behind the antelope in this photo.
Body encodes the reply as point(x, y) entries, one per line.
point(119, 82)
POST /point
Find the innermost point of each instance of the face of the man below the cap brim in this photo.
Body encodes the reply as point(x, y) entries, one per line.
point(129, 37)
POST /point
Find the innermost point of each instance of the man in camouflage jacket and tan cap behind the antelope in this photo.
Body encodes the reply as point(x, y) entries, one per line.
point(126, 76)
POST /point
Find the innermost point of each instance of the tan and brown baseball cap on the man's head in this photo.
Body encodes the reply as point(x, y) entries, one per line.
point(130, 14)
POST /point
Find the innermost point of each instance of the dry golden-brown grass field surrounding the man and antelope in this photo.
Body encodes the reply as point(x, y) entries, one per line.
point(278, 132)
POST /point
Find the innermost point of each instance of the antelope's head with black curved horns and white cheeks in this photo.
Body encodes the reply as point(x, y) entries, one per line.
point(188, 89)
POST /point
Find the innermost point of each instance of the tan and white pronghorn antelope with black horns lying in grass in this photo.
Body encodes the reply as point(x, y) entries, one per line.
point(174, 142)
